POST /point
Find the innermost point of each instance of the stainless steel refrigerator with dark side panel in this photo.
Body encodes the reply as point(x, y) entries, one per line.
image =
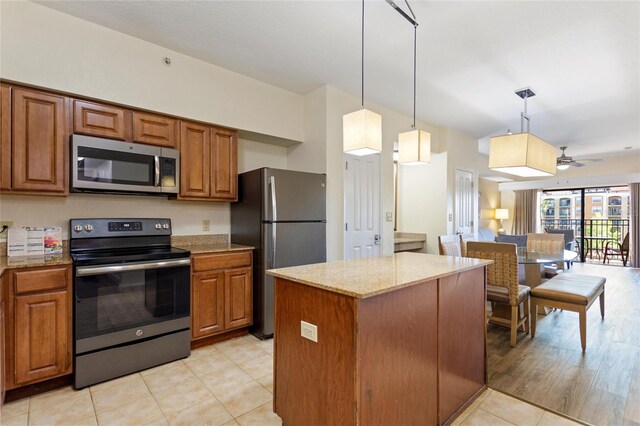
point(282, 213)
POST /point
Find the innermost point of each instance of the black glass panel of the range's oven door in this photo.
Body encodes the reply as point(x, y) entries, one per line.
point(107, 303)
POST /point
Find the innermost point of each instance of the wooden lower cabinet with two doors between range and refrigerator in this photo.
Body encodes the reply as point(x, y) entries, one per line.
point(221, 299)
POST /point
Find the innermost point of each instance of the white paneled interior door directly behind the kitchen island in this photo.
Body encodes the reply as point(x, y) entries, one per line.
point(362, 206)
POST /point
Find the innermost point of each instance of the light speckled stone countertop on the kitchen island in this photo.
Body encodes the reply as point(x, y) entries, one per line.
point(362, 278)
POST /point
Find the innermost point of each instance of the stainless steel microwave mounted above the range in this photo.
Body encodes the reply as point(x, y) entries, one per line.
point(114, 166)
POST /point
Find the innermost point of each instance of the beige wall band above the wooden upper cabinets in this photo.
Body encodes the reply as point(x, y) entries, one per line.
point(48, 48)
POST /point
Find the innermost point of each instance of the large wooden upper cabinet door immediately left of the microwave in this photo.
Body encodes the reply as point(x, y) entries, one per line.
point(40, 137)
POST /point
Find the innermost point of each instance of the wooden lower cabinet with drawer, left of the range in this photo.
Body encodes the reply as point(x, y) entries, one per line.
point(38, 336)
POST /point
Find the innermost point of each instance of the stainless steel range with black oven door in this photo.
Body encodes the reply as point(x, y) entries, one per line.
point(132, 297)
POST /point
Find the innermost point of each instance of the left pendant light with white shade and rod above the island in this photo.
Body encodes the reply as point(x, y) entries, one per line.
point(362, 129)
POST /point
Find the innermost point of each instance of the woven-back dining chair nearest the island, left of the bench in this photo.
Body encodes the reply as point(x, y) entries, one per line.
point(502, 283)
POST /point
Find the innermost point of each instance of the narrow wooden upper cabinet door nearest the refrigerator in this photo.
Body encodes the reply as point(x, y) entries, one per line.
point(224, 164)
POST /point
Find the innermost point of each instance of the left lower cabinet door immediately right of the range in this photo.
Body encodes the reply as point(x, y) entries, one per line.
point(207, 306)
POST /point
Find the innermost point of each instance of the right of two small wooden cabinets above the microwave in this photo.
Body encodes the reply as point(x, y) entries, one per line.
point(155, 129)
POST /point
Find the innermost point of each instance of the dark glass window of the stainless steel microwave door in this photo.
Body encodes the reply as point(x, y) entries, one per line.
point(101, 165)
